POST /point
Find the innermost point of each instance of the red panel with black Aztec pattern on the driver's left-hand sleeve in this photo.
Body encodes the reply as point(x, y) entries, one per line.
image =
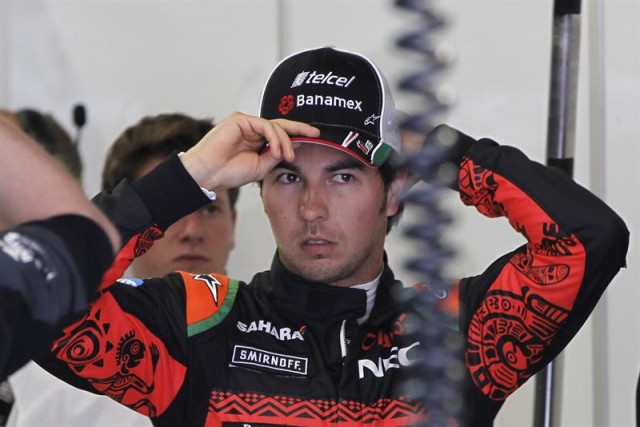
point(121, 358)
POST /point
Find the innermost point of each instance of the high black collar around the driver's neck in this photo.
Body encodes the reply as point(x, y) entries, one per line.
point(300, 297)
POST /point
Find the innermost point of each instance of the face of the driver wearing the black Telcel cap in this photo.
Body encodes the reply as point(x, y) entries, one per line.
point(328, 213)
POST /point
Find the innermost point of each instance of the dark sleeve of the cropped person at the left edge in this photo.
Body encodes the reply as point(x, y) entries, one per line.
point(50, 271)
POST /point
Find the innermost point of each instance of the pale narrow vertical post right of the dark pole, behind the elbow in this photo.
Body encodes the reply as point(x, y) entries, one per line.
point(597, 183)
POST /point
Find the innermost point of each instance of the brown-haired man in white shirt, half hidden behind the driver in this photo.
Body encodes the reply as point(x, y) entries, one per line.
point(198, 242)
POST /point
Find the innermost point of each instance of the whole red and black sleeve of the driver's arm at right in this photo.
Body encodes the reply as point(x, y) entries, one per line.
point(523, 310)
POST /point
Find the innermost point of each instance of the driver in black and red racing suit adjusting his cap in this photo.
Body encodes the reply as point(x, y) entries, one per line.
point(320, 339)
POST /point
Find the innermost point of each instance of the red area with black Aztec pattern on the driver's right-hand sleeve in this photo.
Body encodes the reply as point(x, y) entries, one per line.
point(533, 295)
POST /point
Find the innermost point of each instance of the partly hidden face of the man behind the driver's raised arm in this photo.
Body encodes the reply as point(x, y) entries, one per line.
point(198, 243)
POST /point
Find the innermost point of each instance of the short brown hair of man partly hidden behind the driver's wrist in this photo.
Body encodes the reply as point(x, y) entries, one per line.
point(154, 136)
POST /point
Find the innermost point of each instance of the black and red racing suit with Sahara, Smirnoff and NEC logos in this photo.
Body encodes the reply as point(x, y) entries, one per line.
point(207, 350)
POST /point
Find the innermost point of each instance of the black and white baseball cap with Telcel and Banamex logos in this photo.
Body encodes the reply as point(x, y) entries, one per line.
point(341, 93)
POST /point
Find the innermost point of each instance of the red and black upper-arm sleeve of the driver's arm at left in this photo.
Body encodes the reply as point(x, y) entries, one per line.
point(118, 354)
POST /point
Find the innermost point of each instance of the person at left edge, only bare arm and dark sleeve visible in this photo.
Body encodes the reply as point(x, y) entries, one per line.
point(54, 247)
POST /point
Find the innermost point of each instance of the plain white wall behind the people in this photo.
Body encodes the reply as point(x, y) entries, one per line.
point(126, 59)
